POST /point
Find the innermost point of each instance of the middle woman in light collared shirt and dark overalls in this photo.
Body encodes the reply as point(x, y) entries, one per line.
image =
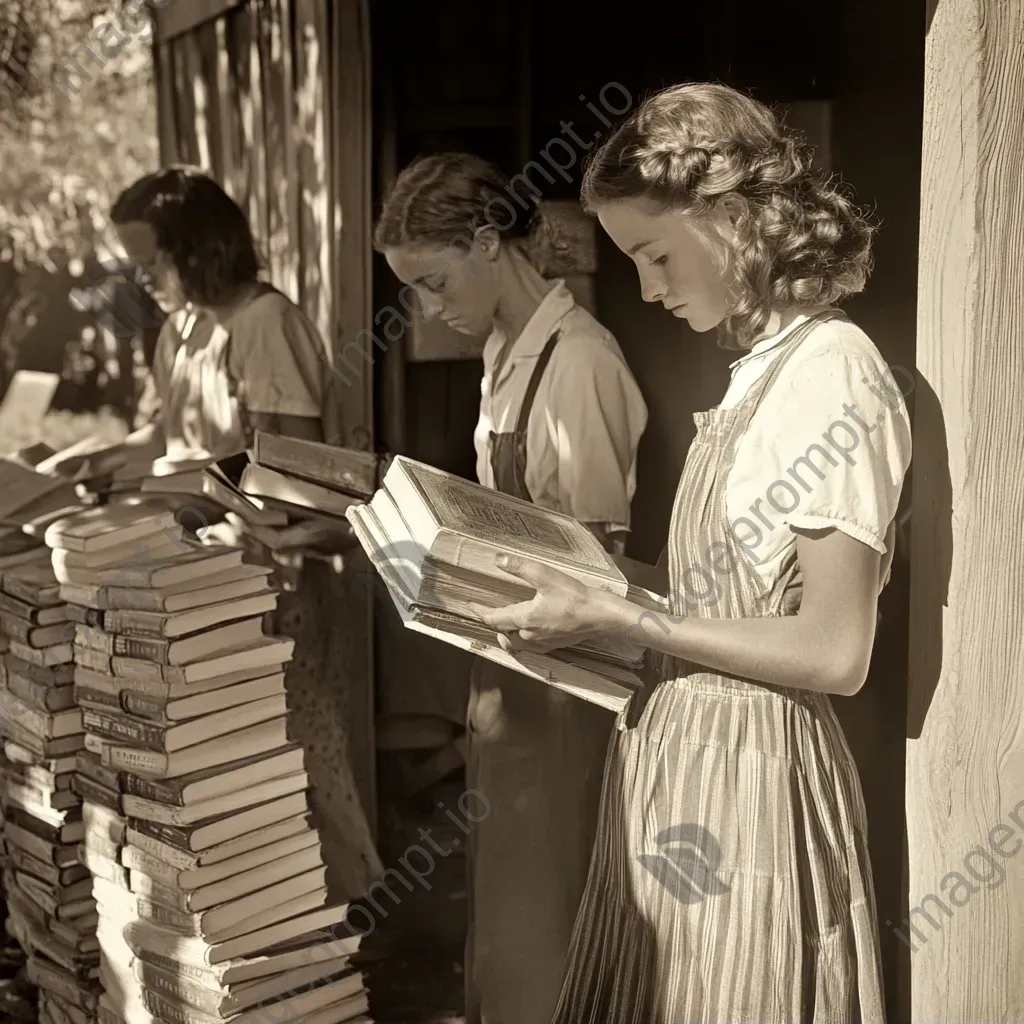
point(561, 420)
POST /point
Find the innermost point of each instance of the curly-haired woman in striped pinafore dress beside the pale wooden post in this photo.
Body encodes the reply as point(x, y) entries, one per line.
point(731, 882)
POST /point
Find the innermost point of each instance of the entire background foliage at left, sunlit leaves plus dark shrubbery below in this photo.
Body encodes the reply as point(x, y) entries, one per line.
point(77, 125)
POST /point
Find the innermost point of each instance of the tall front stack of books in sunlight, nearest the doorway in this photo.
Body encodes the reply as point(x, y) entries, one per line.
point(207, 873)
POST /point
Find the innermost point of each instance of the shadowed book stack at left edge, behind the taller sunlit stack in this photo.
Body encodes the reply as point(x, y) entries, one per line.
point(52, 911)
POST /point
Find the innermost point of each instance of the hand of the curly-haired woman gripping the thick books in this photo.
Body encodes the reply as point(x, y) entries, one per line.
point(563, 613)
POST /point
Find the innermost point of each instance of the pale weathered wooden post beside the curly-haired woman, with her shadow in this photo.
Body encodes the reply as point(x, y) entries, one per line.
point(966, 724)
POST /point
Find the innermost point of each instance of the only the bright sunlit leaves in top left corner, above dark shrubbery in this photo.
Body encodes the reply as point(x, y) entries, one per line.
point(67, 156)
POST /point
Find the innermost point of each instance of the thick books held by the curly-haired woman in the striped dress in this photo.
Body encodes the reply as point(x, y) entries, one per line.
point(434, 539)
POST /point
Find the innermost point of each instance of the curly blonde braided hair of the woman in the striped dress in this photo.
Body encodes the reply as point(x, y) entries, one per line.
point(801, 242)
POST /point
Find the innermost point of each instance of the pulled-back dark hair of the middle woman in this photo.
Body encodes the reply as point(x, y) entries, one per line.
point(445, 199)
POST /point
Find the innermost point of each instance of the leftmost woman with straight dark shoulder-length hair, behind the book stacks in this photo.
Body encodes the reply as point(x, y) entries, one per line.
point(236, 356)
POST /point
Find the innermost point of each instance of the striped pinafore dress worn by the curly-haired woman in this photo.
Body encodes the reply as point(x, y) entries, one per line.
point(731, 881)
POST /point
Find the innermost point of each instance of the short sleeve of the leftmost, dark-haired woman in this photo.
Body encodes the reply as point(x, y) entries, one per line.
point(278, 354)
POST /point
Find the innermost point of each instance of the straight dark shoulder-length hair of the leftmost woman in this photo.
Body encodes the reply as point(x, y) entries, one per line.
point(199, 226)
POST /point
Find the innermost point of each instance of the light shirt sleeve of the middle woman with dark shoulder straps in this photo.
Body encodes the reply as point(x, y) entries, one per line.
point(595, 418)
